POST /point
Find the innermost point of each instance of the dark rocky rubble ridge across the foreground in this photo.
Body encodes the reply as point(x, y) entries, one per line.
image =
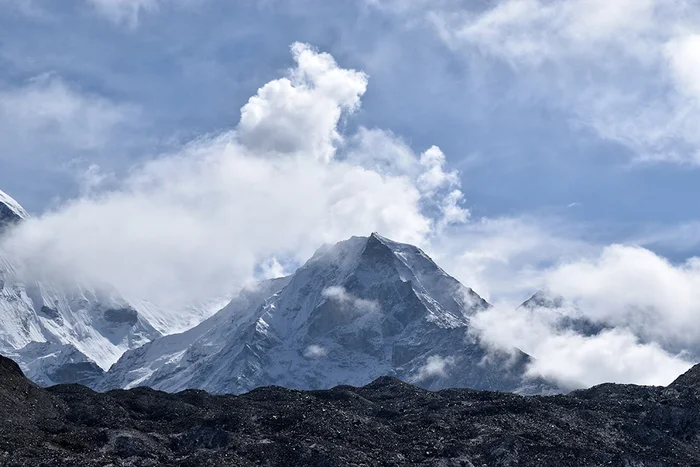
point(384, 423)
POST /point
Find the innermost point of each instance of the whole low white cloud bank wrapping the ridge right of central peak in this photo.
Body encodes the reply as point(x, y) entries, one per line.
point(645, 308)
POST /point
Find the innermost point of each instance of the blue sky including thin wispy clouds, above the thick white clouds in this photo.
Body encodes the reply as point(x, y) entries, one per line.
point(156, 74)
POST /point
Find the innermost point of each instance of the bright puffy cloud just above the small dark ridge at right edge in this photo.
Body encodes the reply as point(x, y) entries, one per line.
point(633, 288)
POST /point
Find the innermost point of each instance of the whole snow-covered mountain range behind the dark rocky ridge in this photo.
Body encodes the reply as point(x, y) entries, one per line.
point(363, 308)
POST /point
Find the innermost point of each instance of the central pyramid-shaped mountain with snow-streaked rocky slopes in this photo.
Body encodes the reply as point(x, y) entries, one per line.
point(364, 308)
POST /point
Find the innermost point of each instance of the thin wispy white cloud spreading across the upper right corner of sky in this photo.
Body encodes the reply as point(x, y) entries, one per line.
point(626, 69)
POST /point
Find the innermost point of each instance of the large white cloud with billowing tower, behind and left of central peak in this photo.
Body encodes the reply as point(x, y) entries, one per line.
point(200, 221)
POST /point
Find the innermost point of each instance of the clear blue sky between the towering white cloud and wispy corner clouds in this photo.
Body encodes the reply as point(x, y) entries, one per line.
point(188, 67)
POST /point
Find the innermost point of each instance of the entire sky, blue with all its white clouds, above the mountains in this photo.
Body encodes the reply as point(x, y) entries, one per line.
point(524, 144)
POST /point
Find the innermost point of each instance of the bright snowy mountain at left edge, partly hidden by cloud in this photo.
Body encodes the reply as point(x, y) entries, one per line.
point(62, 332)
